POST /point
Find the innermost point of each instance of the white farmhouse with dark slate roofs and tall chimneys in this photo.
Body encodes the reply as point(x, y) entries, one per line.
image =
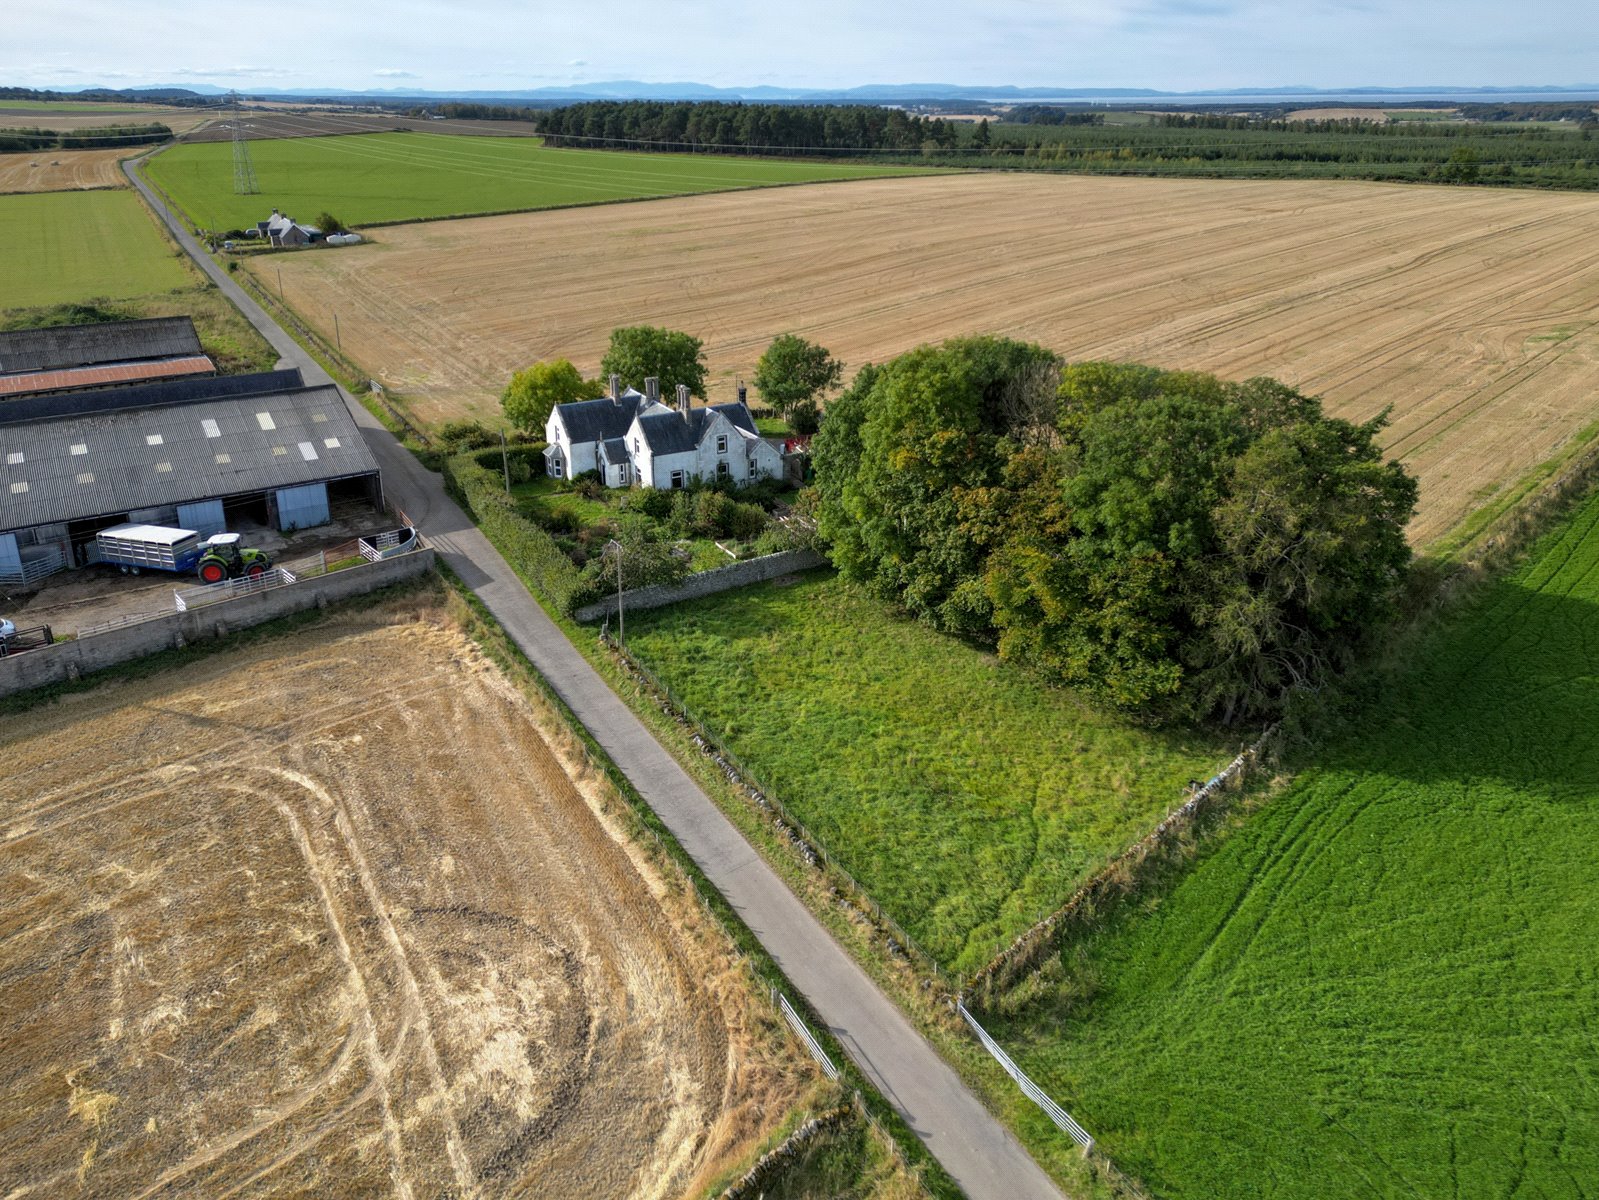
point(634, 439)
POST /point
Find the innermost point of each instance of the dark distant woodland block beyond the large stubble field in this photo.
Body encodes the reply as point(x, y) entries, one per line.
point(732, 129)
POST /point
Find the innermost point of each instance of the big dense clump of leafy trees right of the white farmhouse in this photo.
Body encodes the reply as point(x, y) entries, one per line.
point(1163, 542)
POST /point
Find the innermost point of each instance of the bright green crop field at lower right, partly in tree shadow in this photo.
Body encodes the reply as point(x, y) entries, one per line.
point(1387, 982)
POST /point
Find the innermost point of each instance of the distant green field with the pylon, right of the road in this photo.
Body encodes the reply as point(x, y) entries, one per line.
point(407, 177)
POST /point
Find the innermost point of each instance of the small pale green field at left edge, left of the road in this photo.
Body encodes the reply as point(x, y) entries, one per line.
point(65, 247)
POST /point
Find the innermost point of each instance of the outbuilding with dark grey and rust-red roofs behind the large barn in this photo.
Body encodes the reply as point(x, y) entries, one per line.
point(74, 358)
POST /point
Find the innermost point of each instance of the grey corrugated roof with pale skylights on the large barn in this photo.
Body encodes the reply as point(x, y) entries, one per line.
point(95, 463)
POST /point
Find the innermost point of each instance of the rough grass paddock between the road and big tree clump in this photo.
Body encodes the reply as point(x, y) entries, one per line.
point(965, 796)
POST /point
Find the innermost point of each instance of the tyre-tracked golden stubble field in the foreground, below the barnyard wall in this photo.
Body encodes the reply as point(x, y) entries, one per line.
point(341, 916)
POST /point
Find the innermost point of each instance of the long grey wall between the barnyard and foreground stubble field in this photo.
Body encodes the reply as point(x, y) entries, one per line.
point(73, 660)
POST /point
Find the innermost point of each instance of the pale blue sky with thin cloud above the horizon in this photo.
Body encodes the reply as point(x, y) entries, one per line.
point(525, 44)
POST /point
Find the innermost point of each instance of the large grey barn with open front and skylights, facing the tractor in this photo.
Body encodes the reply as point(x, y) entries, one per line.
point(205, 455)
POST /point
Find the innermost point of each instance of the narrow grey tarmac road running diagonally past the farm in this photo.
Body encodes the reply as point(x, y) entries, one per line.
point(971, 1145)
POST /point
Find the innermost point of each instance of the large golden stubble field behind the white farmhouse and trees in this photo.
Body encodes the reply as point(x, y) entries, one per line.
point(1470, 311)
